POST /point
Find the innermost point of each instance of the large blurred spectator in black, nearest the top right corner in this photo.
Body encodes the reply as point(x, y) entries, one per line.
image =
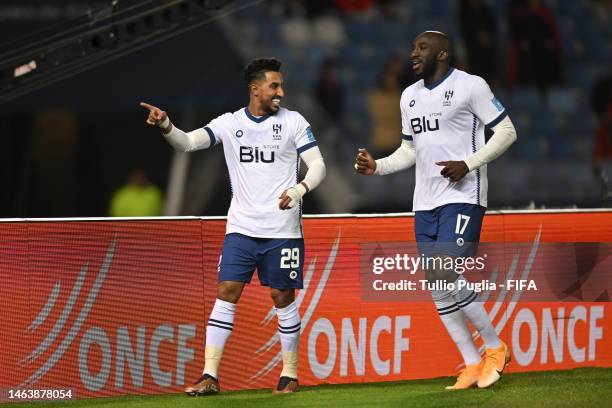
point(535, 46)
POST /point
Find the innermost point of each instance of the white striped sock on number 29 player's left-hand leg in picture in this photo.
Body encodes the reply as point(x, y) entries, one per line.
point(218, 330)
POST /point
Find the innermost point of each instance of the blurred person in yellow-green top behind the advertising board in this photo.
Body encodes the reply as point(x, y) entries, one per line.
point(137, 198)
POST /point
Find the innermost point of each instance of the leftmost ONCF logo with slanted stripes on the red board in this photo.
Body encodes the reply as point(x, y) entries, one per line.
point(135, 348)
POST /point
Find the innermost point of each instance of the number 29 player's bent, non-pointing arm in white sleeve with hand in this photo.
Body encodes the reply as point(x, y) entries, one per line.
point(314, 176)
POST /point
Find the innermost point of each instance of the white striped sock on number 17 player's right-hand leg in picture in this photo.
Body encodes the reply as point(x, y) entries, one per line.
point(467, 300)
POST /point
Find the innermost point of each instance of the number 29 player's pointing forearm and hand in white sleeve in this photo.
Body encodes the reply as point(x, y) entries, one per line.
point(181, 141)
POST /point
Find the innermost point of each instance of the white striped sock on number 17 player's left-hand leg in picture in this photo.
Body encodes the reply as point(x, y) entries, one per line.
point(456, 325)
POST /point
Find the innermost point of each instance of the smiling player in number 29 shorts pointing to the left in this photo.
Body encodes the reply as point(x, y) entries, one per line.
point(263, 144)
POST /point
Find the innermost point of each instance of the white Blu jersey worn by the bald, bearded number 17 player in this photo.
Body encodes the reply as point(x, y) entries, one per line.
point(447, 121)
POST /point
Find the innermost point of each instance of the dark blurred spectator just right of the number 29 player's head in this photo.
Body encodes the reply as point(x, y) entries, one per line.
point(328, 89)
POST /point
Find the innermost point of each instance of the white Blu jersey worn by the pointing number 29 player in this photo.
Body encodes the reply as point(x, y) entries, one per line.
point(262, 156)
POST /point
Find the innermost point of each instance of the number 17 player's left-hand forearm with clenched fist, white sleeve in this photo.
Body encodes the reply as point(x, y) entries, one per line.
point(404, 157)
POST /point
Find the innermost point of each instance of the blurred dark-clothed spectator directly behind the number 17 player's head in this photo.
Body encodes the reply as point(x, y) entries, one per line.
point(479, 31)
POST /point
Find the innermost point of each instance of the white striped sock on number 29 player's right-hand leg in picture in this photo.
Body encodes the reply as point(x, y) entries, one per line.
point(289, 327)
